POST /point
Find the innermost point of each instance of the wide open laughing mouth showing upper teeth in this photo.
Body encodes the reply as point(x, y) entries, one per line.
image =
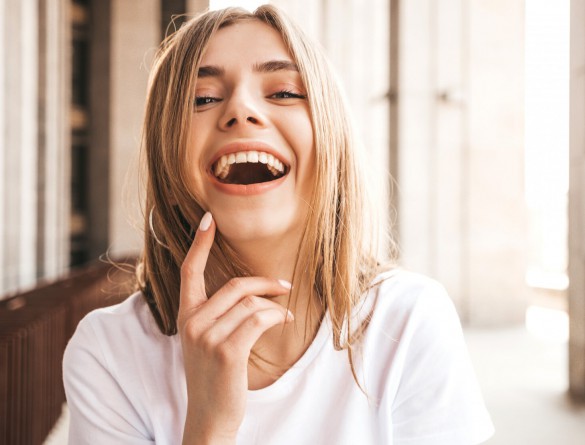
point(248, 167)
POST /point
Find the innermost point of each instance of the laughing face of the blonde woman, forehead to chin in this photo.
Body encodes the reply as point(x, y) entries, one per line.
point(251, 149)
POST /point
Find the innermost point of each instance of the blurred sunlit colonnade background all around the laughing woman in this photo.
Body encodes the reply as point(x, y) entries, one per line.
point(471, 113)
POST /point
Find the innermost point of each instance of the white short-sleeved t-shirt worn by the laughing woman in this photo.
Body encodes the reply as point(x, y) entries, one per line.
point(125, 381)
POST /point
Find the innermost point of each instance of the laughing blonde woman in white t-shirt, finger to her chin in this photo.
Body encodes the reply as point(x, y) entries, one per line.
point(263, 315)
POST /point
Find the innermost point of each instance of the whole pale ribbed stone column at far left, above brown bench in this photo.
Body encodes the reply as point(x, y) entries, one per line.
point(34, 141)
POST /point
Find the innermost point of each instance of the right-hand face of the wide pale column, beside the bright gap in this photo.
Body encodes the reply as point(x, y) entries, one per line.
point(497, 211)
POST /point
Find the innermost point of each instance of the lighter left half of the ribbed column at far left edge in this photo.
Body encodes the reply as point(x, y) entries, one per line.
point(18, 143)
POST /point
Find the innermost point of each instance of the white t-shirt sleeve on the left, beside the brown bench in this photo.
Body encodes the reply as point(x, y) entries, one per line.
point(100, 411)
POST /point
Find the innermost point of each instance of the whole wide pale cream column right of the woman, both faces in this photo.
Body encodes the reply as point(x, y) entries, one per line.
point(460, 176)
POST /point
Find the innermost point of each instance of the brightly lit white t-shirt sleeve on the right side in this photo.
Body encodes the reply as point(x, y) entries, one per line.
point(437, 400)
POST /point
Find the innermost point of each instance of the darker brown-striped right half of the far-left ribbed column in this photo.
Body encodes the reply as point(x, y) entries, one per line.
point(54, 144)
